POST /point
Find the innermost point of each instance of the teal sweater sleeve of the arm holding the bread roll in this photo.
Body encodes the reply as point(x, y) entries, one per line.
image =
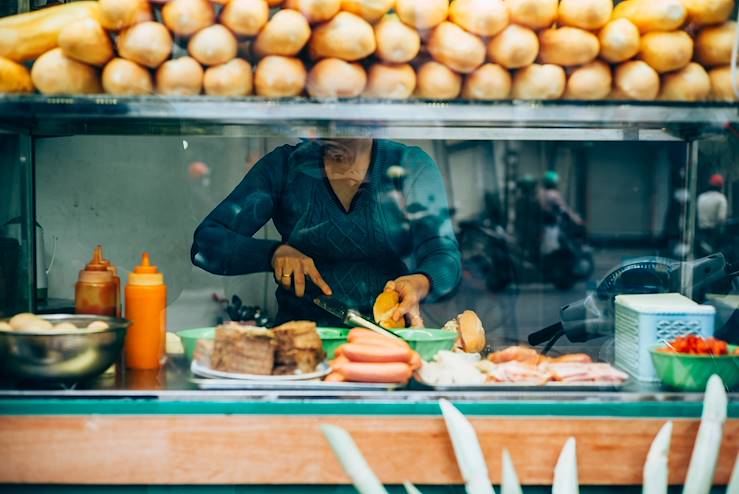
point(435, 247)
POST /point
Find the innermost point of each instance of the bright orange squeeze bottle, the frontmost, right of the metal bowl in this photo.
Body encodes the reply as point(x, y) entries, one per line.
point(146, 308)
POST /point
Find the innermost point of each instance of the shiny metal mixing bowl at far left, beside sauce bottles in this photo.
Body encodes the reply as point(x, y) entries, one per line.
point(63, 355)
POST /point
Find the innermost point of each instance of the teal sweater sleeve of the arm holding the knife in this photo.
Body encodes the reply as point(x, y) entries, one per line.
point(223, 243)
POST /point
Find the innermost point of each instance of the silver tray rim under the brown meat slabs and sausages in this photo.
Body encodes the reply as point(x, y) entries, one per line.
point(213, 384)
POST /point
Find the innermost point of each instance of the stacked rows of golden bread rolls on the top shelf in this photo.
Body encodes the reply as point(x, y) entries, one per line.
point(433, 49)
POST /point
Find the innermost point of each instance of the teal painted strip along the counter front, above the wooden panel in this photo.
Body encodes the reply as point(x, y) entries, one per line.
point(129, 406)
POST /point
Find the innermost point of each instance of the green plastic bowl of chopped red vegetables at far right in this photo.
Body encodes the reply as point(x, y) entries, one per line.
point(691, 372)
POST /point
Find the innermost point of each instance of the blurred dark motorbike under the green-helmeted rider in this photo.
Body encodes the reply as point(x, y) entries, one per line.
point(488, 250)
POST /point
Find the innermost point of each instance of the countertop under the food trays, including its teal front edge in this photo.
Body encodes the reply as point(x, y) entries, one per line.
point(169, 391)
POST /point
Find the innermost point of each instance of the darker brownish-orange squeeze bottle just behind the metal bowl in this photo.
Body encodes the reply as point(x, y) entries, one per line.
point(94, 292)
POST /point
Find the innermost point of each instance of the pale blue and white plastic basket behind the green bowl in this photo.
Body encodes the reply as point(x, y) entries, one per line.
point(645, 320)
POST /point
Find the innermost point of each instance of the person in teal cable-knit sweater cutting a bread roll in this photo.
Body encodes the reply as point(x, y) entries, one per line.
point(349, 223)
